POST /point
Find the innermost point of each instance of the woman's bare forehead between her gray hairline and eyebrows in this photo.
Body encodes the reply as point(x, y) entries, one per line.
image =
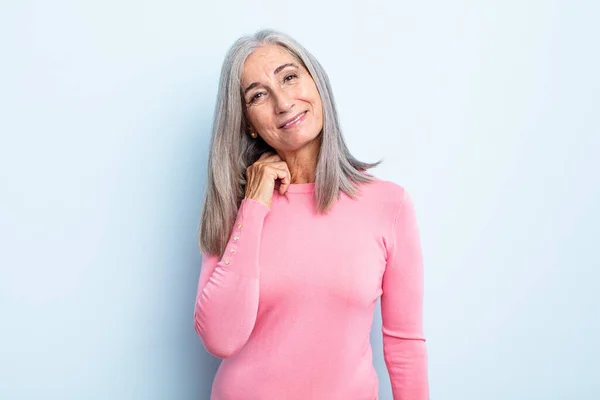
point(264, 60)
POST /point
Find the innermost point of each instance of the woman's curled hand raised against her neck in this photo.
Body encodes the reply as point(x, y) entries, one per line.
point(261, 177)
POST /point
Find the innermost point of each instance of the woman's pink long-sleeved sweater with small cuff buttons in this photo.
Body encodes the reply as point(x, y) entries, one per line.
point(289, 306)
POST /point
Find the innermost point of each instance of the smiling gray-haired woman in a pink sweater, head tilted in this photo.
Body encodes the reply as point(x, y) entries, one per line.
point(299, 242)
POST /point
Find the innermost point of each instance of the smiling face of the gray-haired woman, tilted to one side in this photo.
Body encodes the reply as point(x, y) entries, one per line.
point(283, 104)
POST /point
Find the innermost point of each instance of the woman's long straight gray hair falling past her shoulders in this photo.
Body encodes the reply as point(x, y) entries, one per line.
point(232, 150)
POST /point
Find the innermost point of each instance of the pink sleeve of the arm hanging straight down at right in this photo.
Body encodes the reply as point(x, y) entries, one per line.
point(404, 346)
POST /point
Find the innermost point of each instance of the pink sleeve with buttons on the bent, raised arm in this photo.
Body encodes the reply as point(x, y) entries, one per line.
point(227, 299)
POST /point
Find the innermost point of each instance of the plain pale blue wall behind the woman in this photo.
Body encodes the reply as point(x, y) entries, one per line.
point(487, 112)
